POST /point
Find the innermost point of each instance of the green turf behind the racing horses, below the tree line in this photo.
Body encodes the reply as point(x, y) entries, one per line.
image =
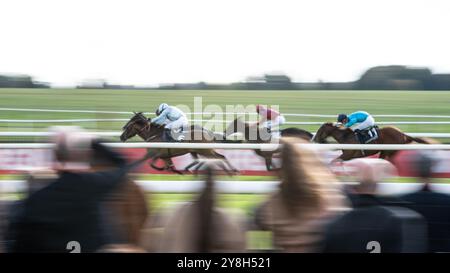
point(311, 102)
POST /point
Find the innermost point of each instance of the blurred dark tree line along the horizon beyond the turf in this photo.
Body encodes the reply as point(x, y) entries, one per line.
point(394, 77)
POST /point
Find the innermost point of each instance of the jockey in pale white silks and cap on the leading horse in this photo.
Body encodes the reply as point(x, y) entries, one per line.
point(173, 118)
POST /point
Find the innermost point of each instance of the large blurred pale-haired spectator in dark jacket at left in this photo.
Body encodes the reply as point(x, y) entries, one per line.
point(68, 208)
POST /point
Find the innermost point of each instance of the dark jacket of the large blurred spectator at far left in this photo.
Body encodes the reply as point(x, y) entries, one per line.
point(66, 210)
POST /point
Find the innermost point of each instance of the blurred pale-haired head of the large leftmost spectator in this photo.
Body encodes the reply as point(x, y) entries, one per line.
point(72, 147)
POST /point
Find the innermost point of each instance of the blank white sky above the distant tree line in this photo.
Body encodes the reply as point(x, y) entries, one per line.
point(166, 41)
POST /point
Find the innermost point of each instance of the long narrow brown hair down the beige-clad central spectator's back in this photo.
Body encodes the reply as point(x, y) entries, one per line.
point(205, 205)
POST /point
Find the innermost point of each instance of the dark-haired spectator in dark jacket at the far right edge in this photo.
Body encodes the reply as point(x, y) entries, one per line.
point(434, 206)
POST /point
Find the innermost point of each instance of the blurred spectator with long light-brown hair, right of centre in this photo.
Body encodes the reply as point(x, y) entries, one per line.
point(307, 198)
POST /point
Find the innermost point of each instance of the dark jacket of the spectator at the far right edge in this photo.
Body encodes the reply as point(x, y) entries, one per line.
point(435, 208)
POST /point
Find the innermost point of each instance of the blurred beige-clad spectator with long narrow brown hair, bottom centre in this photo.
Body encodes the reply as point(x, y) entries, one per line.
point(201, 226)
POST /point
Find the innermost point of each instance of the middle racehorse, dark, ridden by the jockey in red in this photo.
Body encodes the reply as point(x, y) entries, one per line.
point(254, 134)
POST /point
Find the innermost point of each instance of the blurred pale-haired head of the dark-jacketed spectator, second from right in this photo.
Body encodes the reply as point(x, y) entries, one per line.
point(370, 171)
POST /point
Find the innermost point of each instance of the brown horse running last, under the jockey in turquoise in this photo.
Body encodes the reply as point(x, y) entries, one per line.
point(343, 135)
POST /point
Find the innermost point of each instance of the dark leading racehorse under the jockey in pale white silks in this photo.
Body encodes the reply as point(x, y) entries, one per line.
point(149, 132)
